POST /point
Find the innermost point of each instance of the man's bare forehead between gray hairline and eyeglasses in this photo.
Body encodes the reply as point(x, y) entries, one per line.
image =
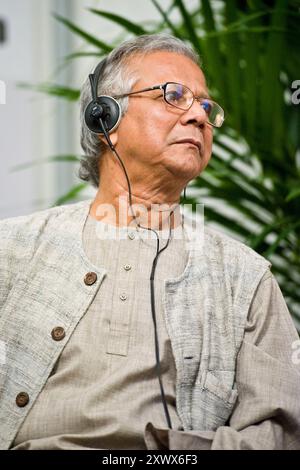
point(157, 67)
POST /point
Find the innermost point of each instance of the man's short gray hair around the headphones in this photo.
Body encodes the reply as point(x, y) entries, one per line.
point(118, 79)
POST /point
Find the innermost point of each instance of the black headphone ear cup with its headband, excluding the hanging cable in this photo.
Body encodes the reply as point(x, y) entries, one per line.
point(102, 109)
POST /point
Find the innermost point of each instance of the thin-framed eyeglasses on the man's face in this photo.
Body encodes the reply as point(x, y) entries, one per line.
point(182, 97)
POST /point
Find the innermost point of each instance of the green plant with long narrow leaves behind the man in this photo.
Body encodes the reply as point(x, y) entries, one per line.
point(250, 55)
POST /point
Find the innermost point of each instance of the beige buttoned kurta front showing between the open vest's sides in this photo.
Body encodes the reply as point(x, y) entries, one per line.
point(104, 387)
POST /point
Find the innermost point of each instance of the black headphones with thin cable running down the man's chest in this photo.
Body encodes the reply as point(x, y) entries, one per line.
point(102, 115)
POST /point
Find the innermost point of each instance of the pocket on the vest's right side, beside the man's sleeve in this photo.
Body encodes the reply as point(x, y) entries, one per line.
point(213, 399)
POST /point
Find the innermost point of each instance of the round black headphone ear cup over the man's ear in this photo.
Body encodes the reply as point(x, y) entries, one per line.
point(106, 108)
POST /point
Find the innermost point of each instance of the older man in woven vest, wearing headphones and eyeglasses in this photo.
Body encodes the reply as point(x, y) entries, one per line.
point(178, 340)
